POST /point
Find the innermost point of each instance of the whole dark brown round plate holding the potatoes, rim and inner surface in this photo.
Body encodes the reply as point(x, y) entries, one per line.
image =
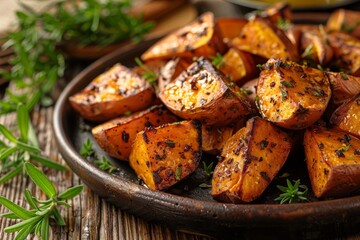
point(186, 206)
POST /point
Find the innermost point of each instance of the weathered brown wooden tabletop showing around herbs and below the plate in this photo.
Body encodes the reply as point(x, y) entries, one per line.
point(90, 217)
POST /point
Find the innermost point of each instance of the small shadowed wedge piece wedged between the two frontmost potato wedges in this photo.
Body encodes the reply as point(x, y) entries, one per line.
point(214, 138)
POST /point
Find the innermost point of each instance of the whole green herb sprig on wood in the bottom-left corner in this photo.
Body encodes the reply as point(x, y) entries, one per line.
point(37, 219)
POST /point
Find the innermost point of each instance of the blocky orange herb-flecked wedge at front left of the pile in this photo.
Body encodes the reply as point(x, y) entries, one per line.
point(165, 155)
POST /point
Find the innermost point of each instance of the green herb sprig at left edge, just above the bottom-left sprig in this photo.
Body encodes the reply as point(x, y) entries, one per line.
point(22, 149)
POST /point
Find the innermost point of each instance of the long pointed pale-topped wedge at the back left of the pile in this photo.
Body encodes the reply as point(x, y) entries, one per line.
point(200, 38)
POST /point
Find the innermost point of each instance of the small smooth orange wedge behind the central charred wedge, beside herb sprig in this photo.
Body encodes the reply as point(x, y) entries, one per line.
point(238, 66)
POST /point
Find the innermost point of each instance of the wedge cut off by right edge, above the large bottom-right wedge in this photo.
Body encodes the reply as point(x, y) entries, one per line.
point(347, 116)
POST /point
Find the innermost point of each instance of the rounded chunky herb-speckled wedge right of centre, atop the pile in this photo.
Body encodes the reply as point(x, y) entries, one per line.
point(292, 96)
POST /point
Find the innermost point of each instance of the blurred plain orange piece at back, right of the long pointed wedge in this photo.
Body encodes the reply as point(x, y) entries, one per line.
point(230, 27)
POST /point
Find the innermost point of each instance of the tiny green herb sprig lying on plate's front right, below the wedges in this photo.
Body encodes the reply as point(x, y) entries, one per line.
point(292, 193)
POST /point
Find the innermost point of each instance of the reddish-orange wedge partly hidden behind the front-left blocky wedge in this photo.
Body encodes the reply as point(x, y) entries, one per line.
point(116, 136)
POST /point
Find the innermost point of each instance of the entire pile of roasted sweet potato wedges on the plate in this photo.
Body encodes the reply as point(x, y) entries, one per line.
point(240, 89)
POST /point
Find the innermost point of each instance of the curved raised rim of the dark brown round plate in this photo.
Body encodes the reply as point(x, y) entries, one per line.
point(177, 211)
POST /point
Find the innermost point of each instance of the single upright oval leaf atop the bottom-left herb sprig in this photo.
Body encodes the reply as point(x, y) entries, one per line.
point(40, 180)
